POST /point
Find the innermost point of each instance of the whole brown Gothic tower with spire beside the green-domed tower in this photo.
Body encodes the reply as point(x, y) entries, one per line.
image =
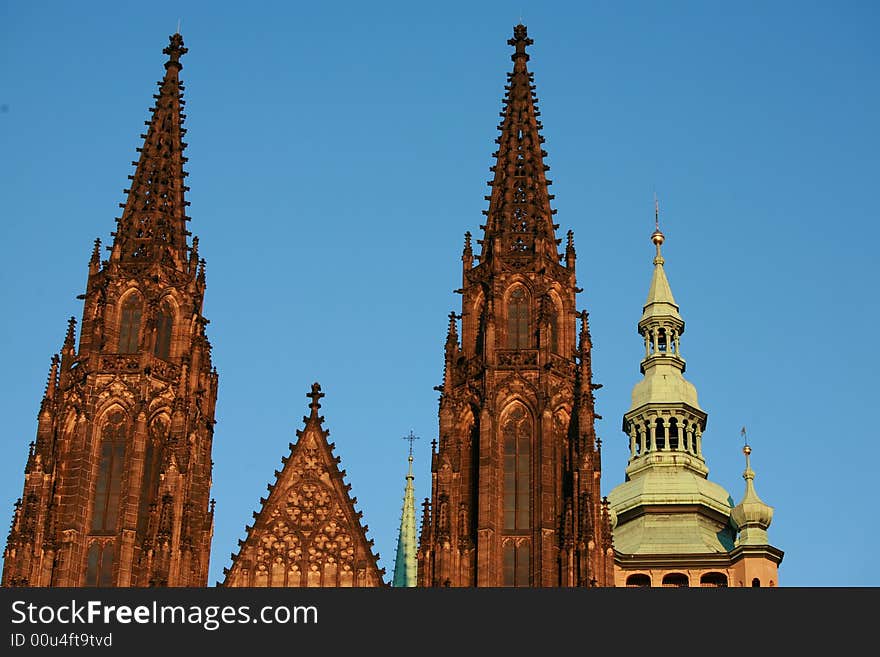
point(515, 497)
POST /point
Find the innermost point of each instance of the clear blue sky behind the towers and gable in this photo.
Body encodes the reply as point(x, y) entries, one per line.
point(339, 151)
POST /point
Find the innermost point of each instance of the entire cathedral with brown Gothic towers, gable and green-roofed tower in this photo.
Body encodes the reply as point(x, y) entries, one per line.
point(117, 482)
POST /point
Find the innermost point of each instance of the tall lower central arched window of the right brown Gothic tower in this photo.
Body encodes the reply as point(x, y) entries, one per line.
point(517, 437)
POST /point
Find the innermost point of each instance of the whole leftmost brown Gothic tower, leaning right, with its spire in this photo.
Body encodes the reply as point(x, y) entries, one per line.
point(117, 483)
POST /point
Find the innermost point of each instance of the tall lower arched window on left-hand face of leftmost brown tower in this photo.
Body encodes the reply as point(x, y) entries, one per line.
point(111, 455)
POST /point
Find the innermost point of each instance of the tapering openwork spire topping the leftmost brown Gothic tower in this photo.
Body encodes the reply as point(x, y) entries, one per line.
point(153, 222)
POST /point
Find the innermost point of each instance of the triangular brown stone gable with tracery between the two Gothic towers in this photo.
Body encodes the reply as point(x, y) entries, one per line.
point(307, 532)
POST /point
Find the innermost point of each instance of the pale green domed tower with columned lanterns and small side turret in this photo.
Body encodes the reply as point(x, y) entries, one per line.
point(673, 526)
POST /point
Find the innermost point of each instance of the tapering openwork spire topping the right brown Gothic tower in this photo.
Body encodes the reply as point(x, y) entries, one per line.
point(519, 219)
